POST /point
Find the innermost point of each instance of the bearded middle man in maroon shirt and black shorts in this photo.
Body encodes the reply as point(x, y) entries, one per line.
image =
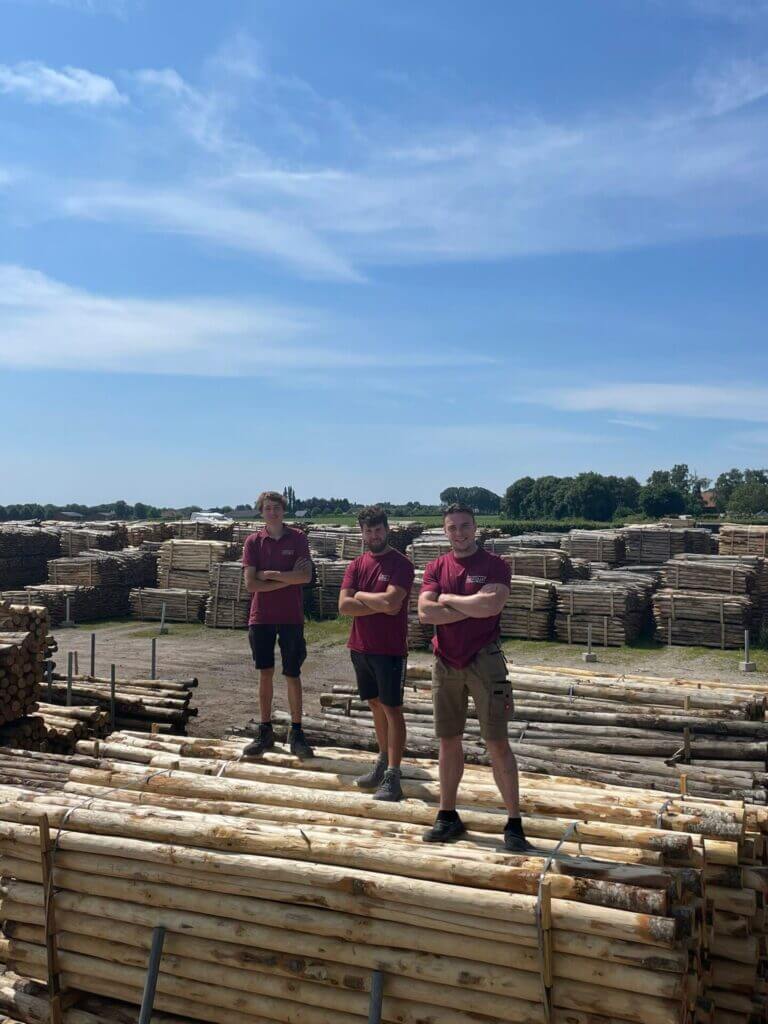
point(375, 592)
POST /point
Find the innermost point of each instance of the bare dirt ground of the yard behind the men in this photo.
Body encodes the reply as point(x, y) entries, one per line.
point(227, 696)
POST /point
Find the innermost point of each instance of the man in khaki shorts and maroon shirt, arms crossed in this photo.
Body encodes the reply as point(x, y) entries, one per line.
point(462, 596)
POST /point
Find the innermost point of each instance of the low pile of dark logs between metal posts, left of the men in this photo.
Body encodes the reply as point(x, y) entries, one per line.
point(140, 704)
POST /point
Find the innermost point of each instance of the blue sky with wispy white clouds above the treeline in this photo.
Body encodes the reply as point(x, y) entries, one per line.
point(373, 250)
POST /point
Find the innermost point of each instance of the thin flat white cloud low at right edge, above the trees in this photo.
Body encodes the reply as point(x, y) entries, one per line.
point(730, 402)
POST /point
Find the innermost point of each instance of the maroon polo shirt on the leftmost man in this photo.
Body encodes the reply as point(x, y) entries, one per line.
point(284, 607)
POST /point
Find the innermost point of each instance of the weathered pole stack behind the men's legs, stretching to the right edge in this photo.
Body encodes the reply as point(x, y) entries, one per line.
point(644, 733)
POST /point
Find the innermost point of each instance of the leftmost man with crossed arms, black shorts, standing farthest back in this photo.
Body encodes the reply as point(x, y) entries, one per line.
point(277, 566)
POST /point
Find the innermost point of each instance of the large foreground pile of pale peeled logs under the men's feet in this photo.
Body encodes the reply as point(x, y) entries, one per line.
point(280, 898)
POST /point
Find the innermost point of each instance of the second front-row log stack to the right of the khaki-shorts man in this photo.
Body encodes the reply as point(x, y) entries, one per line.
point(618, 611)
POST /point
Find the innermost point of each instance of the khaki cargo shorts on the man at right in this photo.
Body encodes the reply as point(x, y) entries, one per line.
point(486, 679)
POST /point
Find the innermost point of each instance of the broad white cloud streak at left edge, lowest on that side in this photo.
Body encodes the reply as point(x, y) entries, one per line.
point(46, 324)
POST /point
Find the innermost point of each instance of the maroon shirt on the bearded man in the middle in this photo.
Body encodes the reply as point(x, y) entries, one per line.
point(380, 634)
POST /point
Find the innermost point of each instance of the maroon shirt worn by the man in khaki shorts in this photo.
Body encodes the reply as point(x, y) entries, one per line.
point(457, 644)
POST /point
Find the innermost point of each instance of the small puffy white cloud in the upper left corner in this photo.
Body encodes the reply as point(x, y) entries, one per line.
point(70, 87)
